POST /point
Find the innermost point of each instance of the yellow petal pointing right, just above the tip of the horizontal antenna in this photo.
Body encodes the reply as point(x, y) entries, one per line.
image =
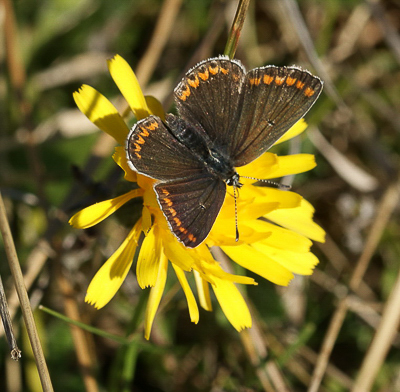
point(292, 164)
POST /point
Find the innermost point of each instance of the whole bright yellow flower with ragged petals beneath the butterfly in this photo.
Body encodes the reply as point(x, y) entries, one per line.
point(275, 226)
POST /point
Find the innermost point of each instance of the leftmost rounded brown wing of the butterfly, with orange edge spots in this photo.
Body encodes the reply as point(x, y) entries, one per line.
point(152, 150)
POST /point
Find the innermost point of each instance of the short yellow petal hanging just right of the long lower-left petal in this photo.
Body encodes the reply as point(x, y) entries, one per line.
point(148, 260)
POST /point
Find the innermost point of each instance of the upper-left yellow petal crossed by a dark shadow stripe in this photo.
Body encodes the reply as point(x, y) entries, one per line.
point(100, 111)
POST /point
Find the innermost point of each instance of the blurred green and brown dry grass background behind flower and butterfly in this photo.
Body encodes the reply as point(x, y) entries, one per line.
point(336, 330)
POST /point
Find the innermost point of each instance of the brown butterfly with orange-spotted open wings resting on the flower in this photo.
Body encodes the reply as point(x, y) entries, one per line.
point(227, 118)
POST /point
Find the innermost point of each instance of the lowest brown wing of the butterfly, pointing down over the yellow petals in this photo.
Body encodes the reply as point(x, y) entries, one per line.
point(191, 206)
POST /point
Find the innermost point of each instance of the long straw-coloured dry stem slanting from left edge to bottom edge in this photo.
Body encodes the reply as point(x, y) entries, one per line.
point(24, 299)
